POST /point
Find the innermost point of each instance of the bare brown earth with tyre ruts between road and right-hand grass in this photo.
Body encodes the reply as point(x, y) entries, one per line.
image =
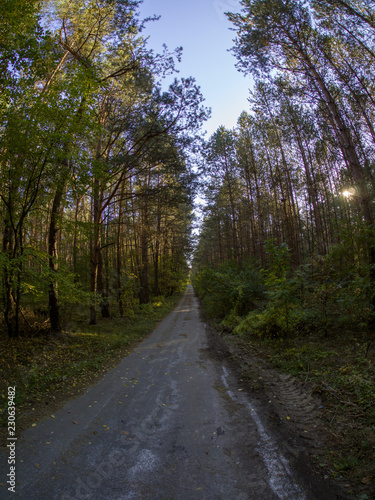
point(293, 405)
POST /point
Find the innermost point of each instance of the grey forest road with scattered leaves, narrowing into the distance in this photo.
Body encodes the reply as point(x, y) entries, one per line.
point(169, 422)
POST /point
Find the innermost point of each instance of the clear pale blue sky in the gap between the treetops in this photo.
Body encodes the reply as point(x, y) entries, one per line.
point(202, 29)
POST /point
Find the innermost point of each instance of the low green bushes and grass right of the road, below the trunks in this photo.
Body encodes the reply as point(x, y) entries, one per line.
point(313, 322)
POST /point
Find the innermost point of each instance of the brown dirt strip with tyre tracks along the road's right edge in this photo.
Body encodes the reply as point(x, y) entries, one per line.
point(294, 413)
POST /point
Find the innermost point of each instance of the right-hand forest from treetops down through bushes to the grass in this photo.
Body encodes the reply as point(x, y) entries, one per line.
point(285, 262)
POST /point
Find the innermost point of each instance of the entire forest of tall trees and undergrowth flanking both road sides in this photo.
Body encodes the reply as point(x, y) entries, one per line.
point(102, 164)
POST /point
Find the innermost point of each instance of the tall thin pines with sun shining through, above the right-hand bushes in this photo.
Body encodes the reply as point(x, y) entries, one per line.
point(296, 176)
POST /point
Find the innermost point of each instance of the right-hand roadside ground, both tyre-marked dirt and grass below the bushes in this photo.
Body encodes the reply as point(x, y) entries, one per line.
point(317, 387)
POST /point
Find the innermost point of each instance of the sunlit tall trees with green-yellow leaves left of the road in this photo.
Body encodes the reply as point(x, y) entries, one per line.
point(96, 183)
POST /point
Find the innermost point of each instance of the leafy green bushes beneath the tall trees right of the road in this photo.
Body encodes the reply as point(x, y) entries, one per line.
point(323, 296)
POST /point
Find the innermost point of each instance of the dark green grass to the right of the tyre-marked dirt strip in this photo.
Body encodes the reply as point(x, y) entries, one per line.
point(344, 378)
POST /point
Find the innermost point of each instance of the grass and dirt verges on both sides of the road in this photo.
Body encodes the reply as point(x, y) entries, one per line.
point(322, 387)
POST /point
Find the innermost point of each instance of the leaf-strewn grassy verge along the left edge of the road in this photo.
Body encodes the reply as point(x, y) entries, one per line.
point(47, 371)
